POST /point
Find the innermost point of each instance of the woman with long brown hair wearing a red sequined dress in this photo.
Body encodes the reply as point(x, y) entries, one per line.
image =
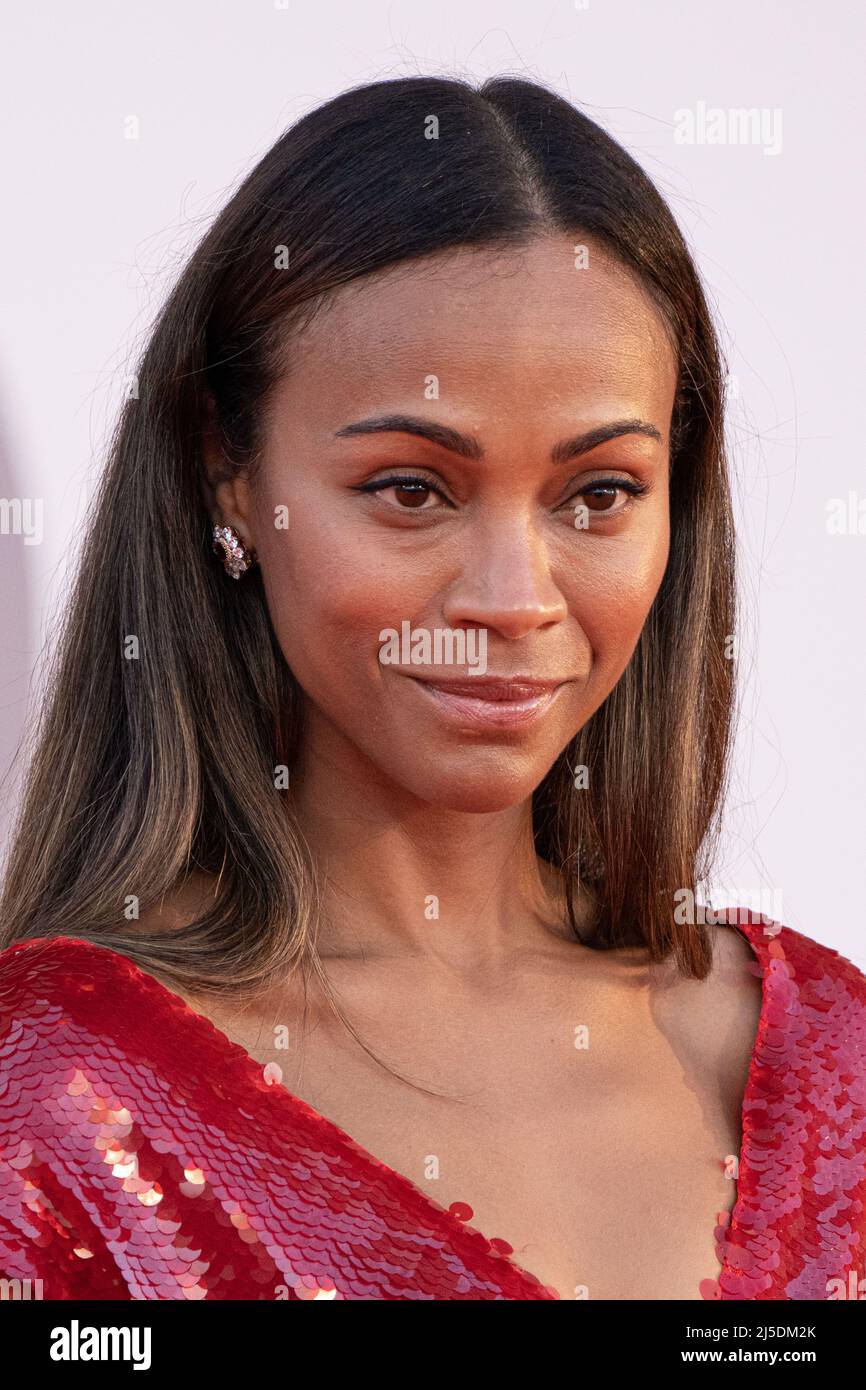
point(351, 945)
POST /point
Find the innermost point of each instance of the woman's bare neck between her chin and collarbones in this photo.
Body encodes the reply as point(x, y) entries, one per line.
point(404, 878)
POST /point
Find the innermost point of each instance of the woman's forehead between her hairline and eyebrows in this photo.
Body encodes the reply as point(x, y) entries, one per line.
point(522, 326)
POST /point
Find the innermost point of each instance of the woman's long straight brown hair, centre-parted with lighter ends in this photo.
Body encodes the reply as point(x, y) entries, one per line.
point(170, 704)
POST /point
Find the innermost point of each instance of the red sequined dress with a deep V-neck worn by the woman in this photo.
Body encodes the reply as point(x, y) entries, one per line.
point(145, 1156)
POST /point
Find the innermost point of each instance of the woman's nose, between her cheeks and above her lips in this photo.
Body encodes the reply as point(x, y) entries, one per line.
point(505, 582)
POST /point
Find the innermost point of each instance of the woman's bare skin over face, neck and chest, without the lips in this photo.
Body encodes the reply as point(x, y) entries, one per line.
point(601, 1166)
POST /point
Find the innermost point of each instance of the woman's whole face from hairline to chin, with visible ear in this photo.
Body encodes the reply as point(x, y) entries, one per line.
point(518, 528)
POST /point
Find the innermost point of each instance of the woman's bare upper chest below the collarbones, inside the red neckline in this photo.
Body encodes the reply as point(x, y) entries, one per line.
point(604, 1167)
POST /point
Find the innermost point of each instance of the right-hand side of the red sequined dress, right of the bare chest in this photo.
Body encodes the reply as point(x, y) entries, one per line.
point(799, 1227)
